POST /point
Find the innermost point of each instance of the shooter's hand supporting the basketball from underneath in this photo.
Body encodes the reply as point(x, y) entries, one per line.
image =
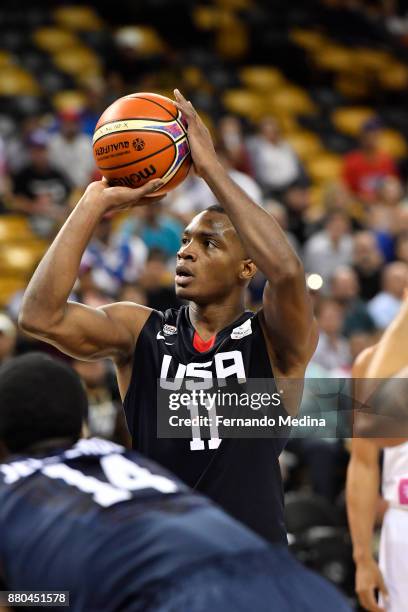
point(113, 199)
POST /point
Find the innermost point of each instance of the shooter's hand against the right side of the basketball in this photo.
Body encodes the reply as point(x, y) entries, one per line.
point(199, 137)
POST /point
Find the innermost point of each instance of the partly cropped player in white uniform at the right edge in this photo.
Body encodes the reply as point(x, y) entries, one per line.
point(385, 419)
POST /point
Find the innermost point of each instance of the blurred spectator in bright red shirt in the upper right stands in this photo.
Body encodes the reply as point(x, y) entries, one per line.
point(365, 168)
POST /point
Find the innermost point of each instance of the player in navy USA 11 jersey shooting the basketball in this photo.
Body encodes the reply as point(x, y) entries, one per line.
point(214, 336)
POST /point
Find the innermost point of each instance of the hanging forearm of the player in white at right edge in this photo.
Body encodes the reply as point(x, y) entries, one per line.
point(362, 495)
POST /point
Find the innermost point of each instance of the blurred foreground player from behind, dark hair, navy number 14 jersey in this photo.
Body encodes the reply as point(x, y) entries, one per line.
point(114, 529)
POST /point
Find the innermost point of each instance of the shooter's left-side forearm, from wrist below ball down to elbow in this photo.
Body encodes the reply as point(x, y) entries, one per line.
point(48, 291)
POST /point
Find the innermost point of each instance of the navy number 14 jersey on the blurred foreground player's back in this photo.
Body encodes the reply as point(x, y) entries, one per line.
point(105, 524)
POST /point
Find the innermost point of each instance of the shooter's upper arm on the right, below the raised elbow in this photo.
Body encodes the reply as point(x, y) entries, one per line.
point(288, 314)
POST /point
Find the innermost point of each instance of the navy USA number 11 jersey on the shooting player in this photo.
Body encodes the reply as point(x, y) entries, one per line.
point(241, 475)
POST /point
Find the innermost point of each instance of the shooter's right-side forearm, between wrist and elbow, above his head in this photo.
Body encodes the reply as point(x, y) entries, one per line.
point(263, 239)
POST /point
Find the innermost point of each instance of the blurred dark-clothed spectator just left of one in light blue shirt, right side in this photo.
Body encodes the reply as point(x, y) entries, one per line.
point(367, 262)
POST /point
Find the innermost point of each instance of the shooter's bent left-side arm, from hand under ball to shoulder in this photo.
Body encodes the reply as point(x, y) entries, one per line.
point(79, 330)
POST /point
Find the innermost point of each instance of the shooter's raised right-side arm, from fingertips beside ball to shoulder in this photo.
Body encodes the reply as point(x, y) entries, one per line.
point(287, 308)
